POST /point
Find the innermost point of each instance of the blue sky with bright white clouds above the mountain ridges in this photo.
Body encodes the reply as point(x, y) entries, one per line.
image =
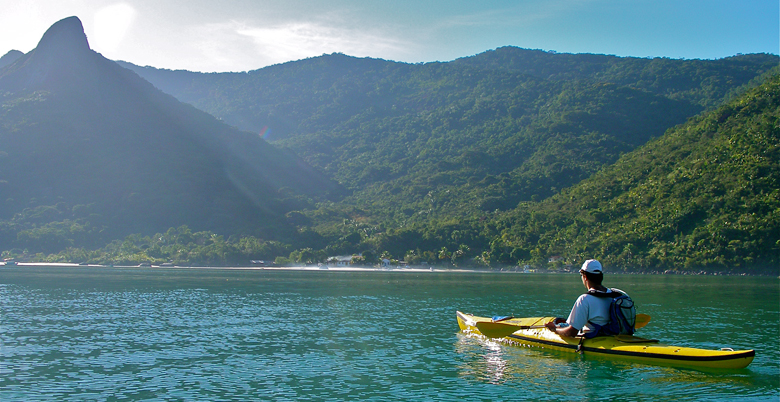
point(243, 35)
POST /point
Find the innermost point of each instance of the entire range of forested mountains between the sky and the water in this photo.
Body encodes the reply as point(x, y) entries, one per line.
point(478, 161)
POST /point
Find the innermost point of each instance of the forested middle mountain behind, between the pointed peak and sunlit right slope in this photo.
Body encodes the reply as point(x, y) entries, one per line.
point(477, 134)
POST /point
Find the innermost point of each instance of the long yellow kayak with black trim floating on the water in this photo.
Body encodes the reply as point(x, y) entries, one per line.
point(531, 332)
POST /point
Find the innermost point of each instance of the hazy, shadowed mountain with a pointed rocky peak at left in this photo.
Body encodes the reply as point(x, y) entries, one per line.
point(91, 152)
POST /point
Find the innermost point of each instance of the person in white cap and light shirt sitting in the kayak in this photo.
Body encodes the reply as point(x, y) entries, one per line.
point(587, 308)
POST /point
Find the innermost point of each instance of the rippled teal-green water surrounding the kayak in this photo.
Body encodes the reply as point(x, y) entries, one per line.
point(75, 334)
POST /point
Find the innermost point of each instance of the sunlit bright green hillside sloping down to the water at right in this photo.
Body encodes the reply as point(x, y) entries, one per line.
point(706, 195)
